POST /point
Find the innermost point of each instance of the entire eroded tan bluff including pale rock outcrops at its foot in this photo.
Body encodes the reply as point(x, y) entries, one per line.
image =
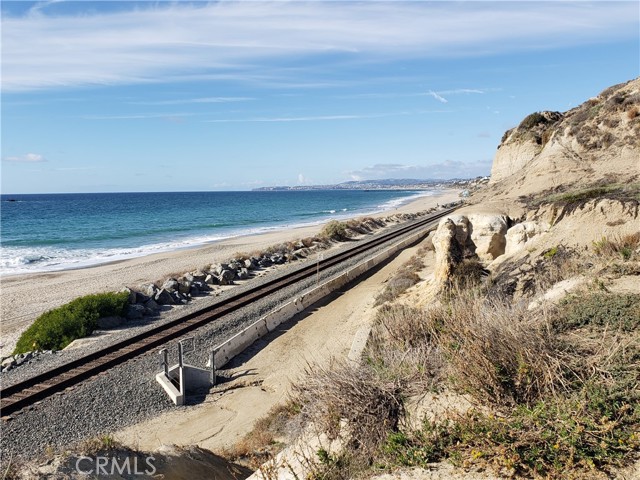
point(567, 179)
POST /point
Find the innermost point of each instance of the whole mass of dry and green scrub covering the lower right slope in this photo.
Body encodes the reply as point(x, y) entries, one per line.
point(549, 398)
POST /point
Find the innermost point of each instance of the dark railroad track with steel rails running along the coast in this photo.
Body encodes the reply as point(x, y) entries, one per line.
point(28, 392)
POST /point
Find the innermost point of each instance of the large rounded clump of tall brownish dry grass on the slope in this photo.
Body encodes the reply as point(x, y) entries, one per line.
point(499, 352)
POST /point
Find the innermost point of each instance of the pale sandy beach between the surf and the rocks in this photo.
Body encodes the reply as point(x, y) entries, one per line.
point(24, 297)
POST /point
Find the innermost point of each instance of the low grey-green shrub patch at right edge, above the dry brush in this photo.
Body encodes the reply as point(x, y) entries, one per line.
point(600, 309)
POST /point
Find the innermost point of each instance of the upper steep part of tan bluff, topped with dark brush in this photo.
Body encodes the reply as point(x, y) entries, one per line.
point(597, 141)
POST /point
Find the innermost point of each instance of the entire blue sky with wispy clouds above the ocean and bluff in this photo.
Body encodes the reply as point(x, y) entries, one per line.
point(121, 96)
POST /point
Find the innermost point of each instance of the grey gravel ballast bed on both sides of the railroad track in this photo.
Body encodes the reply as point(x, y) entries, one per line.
point(128, 393)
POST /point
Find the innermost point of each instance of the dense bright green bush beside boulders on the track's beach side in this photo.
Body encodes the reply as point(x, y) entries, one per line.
point(57, 328)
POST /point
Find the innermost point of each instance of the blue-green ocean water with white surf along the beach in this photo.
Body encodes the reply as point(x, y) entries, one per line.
point(62, 231)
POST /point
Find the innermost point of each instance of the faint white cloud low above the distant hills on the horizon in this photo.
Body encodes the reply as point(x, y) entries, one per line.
point(443, 170)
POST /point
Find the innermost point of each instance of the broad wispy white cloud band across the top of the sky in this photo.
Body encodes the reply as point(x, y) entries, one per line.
point(239, 40)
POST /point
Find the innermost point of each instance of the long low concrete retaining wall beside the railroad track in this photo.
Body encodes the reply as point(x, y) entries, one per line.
point(242, 340)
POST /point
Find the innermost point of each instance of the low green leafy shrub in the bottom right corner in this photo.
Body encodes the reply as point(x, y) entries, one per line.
point(590, 431)
